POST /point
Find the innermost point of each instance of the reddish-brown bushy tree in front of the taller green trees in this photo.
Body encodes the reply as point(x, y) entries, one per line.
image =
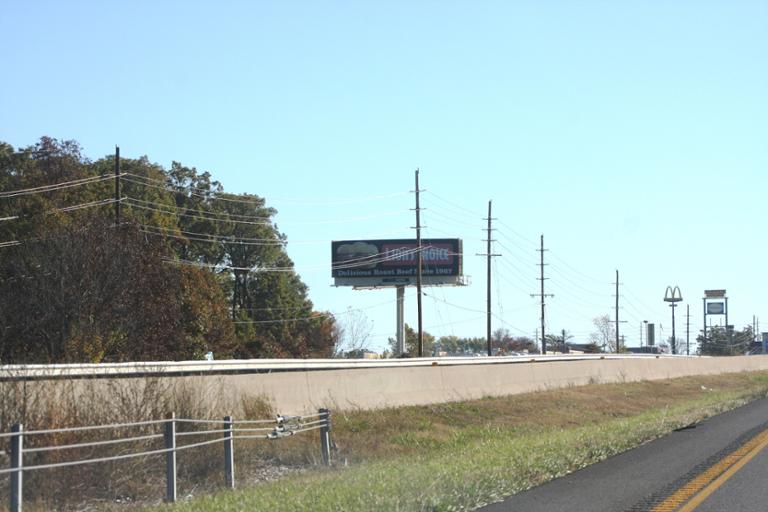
point(92, 294)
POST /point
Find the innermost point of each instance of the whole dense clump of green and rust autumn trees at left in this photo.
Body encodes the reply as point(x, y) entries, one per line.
point(188, 270)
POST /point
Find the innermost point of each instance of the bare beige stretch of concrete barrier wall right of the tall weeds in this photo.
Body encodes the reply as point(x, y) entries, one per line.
point(301, 392)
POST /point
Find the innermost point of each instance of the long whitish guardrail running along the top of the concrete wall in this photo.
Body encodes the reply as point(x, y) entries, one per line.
point(42, 371)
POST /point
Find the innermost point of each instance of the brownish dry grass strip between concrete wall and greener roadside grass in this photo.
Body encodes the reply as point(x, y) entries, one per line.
point(365, 436)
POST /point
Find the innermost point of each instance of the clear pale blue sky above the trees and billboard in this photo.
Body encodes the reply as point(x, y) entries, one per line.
point(631, 134)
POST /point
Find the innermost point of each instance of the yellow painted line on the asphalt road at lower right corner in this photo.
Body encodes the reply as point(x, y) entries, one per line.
point(693, 493)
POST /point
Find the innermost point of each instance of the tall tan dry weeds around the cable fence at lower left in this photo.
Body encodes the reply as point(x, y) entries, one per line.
point(66, 403)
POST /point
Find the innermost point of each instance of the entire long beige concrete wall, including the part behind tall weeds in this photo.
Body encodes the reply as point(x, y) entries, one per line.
point(300, 392)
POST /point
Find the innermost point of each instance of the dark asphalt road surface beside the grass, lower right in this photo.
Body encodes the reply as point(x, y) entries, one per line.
point(644, 478)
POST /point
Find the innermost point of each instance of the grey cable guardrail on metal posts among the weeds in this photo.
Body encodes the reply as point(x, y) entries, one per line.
point(229, 430)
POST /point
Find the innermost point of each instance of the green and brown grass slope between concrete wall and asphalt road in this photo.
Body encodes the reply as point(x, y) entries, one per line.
point(459, 456)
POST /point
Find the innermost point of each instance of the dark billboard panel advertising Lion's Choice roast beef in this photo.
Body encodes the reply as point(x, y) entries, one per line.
point(395, 262)
